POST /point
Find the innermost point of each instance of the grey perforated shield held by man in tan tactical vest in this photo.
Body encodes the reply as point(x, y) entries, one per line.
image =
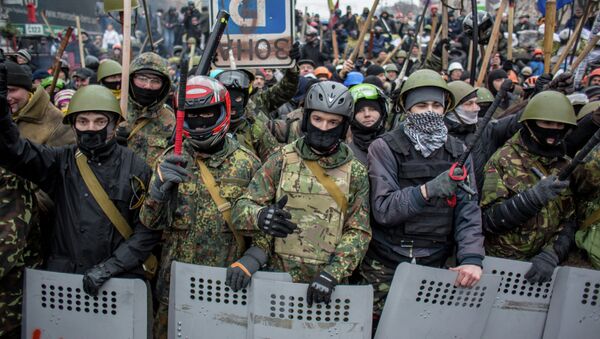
point(279, 310)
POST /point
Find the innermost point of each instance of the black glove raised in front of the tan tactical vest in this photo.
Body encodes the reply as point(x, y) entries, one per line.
point(275, 221)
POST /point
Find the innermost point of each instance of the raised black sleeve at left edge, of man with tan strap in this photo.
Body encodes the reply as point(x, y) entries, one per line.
point(33, 162)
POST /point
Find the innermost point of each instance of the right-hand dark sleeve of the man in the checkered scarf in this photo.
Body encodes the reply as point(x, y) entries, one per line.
point(468, 232)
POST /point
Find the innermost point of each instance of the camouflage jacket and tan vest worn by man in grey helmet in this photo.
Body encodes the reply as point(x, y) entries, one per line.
point(340, 247)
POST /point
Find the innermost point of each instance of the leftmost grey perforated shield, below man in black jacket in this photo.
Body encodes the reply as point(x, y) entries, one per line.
point(55, 306)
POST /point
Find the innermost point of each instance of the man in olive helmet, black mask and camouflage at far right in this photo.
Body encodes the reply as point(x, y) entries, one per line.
point(527, 217)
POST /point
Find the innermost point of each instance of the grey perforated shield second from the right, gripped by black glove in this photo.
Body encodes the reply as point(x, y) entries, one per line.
point(520, 309)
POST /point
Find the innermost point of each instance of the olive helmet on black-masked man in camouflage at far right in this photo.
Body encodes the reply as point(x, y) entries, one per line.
point(550, 106)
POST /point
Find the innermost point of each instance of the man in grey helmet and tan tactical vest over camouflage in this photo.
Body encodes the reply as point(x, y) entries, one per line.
point(332, 236)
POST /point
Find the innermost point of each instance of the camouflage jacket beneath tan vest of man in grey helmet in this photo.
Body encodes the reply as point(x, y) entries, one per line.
point(356, 231)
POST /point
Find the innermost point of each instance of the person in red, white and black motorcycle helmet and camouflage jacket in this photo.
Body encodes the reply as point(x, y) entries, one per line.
point(196, 231)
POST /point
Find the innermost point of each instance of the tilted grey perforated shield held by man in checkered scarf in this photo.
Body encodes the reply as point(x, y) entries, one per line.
point(423, 303)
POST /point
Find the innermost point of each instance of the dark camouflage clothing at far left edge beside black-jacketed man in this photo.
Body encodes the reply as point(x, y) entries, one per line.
point(19, 247)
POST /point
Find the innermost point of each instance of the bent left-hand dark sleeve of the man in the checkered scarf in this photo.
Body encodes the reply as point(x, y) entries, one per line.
point(390, 204)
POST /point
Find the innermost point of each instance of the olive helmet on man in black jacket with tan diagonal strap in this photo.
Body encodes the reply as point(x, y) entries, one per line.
point(92, 98)
